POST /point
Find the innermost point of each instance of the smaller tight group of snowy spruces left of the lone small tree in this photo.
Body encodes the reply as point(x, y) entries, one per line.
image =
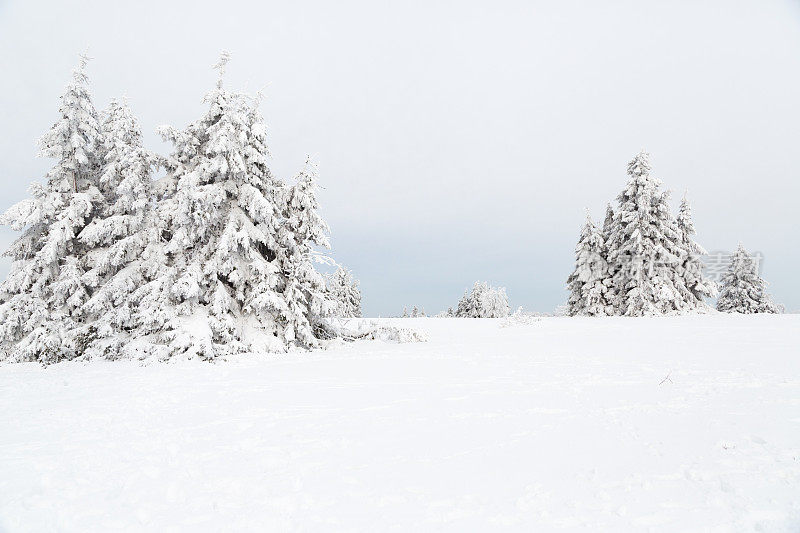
point(643, 260)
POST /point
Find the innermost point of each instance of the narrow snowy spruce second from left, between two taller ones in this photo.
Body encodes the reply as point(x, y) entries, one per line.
point(119, 234)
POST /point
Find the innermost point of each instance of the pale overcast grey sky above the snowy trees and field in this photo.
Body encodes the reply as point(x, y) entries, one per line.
point(456, 140)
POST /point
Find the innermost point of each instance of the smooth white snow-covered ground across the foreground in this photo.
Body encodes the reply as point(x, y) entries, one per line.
point(668, 424)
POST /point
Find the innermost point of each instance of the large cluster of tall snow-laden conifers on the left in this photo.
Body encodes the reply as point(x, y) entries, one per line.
point(216, 257)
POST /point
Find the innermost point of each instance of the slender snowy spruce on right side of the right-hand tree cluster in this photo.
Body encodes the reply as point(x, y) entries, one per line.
point(696, 287)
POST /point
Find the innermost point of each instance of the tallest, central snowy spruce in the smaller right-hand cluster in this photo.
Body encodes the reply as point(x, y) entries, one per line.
point(644, 248)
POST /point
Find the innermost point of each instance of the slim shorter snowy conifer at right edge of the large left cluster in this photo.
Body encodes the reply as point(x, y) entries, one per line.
point(303, 229)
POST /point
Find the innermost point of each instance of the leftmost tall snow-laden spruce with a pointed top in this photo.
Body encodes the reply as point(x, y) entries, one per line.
point(43, 294)
